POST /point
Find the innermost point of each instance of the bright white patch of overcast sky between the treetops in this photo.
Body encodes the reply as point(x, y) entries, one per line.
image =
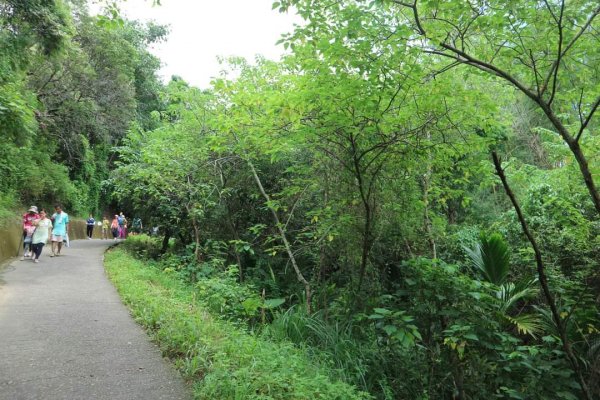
point(202, 30)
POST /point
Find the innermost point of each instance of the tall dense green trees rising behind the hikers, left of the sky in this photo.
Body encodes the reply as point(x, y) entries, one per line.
point(71, 86)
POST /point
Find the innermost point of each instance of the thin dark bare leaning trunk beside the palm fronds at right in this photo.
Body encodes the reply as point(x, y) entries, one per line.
point(560, 324)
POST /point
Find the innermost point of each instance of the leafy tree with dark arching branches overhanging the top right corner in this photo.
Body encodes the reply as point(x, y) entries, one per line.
point(558, 74)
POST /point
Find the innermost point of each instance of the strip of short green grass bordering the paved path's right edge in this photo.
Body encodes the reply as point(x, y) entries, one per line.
point(221, 360)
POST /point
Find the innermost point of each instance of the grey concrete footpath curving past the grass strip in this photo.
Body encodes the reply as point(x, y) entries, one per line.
point(64, 334)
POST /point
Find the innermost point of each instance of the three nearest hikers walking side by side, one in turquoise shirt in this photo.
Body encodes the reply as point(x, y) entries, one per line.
point(38, 228)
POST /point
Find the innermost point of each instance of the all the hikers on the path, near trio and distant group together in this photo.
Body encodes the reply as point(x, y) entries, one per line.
point(38, 229)
